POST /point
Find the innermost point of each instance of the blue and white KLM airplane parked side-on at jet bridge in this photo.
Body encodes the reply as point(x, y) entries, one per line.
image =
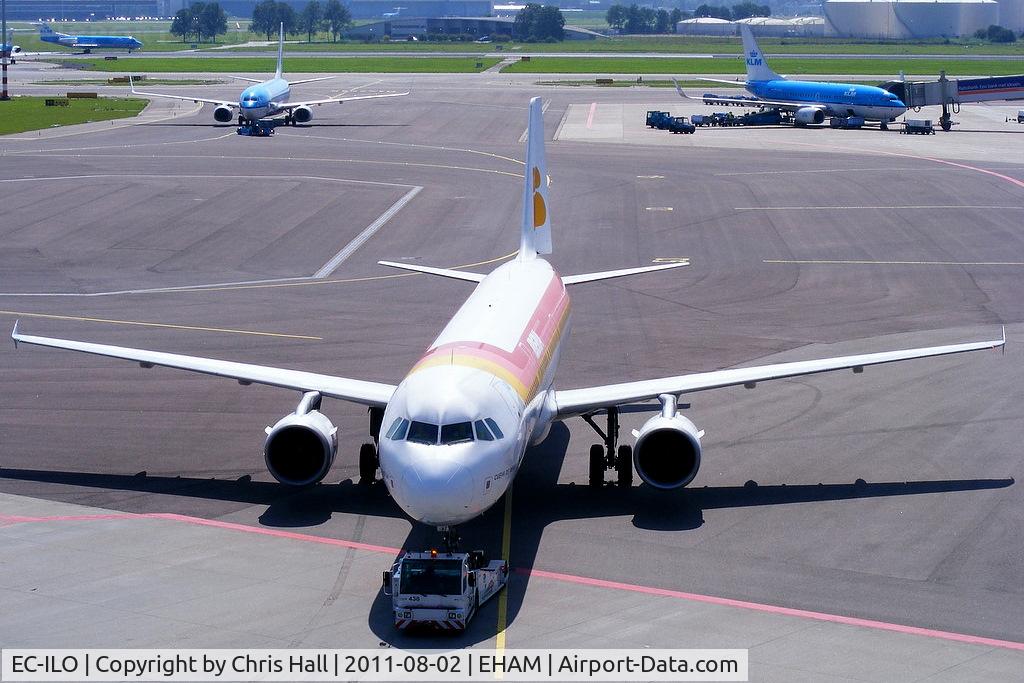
point(810, 102)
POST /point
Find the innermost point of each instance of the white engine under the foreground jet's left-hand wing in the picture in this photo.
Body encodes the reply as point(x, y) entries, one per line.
point(301, 449)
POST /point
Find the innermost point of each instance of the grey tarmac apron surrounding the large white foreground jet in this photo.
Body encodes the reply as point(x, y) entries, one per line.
point(842, 527)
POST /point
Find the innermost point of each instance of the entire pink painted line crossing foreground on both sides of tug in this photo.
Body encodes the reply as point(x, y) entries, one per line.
point(566, 578)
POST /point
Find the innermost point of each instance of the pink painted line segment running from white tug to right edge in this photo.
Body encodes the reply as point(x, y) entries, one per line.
point(775, 610)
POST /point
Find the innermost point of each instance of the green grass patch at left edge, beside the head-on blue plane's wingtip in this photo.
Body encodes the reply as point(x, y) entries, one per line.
point(22, 114)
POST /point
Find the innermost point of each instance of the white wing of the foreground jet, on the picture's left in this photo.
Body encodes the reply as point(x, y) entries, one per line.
point(357, 392)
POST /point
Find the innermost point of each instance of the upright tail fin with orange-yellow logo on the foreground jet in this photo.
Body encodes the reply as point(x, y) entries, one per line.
point(536, 230)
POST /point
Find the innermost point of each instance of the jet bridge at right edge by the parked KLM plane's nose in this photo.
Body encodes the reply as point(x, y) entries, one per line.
point(951, 94)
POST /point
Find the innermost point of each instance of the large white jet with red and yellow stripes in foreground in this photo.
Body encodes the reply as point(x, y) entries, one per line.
point(453, 434)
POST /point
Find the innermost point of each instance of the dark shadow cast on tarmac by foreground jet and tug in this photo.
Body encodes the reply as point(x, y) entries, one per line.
point(538, 501)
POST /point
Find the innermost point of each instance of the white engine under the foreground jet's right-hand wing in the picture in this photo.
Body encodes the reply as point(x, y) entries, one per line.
point(667, 454)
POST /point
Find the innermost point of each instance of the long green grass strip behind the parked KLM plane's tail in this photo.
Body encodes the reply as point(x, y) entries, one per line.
point(789, 66)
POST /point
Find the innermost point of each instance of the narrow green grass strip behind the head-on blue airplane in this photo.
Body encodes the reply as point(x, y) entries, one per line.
point(293, 66)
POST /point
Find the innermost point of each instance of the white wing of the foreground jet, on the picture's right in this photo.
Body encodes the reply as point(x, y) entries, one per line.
point(582, 402)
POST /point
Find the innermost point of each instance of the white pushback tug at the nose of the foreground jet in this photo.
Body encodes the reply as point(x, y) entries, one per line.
point(442, 590)
